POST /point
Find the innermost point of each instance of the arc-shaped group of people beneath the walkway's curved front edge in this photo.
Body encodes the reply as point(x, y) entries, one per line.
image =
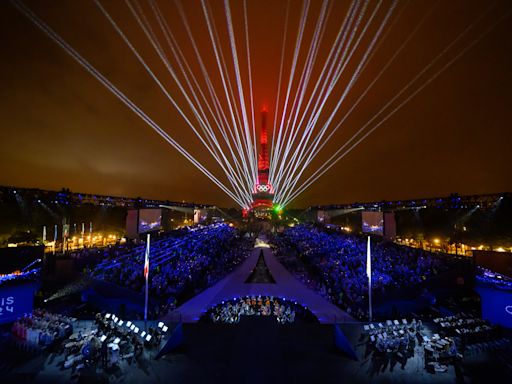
point(284, 311)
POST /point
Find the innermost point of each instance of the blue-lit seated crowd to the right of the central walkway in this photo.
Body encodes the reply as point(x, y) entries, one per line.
point(334, 264)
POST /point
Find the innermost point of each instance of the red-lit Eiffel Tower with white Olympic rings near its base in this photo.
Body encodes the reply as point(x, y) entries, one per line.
point(263, 192)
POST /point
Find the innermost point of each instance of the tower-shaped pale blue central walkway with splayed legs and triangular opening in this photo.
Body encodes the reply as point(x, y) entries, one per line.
point(238, 284)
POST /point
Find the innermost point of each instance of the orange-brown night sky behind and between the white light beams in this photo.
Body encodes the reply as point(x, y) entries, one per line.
point(61, 128)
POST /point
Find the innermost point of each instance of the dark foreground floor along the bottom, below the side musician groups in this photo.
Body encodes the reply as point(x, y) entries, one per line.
point(258, 350)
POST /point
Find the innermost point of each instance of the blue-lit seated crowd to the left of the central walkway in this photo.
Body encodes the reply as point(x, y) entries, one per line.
point(179, 265)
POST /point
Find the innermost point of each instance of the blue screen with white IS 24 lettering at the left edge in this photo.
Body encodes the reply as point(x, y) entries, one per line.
point(15, 301)
